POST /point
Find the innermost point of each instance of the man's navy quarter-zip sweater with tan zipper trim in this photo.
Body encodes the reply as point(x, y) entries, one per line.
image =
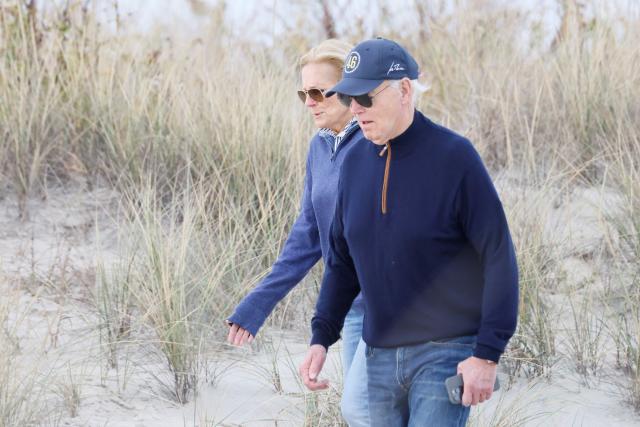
point(440, 263)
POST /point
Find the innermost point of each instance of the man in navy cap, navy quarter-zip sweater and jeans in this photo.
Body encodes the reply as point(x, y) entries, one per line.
point(419, 228)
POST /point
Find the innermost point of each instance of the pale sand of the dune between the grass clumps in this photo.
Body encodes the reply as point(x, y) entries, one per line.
point(47, 279)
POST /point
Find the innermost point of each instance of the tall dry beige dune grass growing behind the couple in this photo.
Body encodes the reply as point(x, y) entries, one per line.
point(209, 163)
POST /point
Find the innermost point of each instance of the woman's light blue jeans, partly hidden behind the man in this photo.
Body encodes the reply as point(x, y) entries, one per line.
point(354, 404)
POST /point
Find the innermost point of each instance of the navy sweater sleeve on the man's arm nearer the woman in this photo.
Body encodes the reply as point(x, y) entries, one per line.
point(339, 287)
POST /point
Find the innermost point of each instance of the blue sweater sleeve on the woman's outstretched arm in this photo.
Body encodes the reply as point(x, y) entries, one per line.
point(300, 253)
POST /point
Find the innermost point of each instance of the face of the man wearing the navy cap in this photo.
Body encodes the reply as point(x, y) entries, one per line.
point(380, 122)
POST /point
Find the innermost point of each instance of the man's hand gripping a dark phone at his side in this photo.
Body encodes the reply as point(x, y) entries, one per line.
point(479, 376)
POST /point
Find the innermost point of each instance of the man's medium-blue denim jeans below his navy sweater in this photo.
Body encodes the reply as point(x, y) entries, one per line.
point(406, 384)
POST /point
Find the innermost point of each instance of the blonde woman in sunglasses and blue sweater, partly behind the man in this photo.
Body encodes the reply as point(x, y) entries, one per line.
point(320, 70)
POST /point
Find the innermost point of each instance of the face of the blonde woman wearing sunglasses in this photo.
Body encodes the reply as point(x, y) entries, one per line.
point(329, 113)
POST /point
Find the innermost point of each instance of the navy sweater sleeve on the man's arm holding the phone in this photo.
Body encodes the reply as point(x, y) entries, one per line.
point(485, 225)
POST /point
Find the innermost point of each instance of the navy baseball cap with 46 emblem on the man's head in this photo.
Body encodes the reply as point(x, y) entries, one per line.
point(372, 62)
